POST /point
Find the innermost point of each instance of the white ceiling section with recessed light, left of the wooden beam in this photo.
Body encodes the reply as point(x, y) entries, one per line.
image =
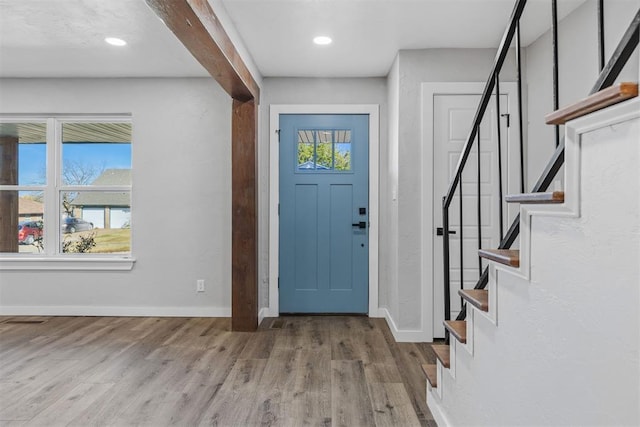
point(65, 38)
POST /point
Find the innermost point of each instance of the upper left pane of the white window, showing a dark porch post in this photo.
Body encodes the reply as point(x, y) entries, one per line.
point(23, 153)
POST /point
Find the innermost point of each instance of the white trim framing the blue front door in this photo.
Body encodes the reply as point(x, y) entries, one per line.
point(373, 111)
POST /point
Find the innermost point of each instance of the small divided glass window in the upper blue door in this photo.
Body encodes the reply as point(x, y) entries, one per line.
point(324, 150)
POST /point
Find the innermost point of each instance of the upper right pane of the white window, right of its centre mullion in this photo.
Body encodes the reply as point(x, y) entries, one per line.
point(96, 153)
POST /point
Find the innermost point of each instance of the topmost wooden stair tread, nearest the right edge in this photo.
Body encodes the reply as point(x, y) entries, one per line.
point(599, 100)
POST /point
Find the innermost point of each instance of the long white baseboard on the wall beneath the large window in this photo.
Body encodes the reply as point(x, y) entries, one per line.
point(73, 310)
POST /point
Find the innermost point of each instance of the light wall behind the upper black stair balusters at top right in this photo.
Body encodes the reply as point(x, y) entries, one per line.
point(577, 67)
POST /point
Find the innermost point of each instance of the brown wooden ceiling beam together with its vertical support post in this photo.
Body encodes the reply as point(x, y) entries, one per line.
point(197, 27)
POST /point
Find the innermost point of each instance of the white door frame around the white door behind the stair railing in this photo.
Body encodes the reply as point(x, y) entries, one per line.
point(429, 90)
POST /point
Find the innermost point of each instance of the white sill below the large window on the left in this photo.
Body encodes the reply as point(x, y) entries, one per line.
point(67, 263)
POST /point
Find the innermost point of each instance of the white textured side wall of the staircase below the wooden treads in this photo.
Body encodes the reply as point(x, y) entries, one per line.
point(551, 376)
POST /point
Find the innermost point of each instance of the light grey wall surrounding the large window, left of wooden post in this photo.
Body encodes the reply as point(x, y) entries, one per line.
point(181, 205)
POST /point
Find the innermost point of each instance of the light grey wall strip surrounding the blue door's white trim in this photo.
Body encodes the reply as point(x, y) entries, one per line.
point(307, 91)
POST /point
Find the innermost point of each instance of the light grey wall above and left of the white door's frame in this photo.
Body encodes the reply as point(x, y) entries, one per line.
point(415, 67)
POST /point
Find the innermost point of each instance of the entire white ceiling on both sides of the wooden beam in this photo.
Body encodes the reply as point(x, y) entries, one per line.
point(65, 38)
